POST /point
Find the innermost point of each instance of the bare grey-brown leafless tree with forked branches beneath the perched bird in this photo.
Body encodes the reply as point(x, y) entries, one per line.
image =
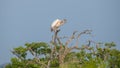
point(64, 48)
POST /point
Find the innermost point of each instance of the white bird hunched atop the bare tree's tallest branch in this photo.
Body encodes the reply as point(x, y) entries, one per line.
point(56, 24)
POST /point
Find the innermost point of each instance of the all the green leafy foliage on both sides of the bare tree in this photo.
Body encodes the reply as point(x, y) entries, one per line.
point(101, 57)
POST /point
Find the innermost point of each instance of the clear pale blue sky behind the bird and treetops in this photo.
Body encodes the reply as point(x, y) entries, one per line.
point(24, 21)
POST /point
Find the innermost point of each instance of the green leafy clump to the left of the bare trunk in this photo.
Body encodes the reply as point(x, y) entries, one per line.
point(36, 49)
